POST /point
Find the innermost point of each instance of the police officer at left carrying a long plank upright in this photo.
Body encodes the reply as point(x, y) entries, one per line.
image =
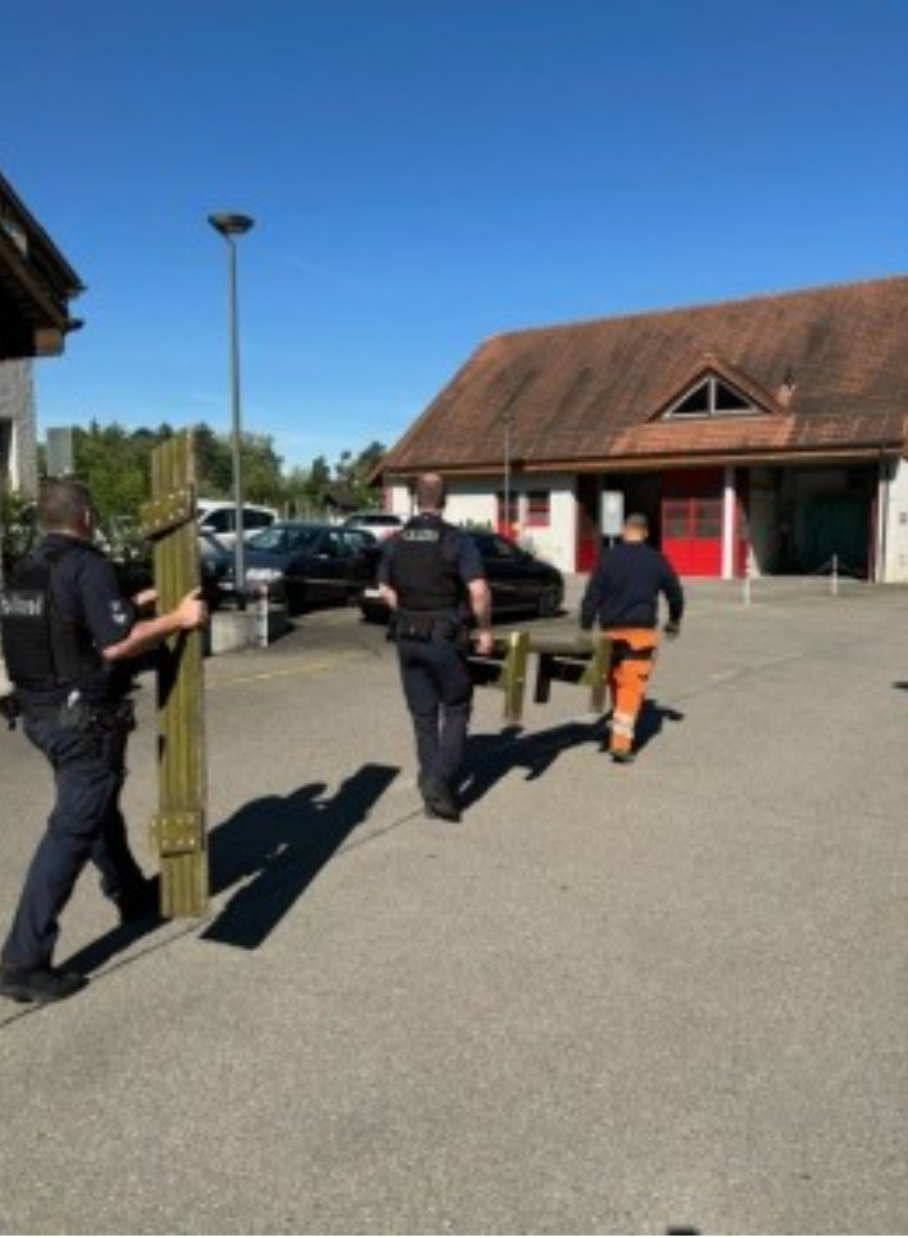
point(69, 636)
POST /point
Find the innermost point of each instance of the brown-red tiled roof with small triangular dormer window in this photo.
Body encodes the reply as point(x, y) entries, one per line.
point(585, 394)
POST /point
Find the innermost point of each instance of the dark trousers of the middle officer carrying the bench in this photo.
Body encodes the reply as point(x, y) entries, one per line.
point(440, 698)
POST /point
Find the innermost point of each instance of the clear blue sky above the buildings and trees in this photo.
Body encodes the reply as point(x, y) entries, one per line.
point(427, 174)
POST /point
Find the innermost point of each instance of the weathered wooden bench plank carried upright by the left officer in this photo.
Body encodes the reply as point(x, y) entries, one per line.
point(179, 830)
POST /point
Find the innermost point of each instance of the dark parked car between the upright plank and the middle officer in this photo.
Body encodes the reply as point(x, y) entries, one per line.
point(309, 564)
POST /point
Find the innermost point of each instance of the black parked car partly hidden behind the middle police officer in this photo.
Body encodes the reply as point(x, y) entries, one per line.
point(521, 582)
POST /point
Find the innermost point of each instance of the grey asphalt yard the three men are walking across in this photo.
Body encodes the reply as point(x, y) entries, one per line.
point(613, 1001)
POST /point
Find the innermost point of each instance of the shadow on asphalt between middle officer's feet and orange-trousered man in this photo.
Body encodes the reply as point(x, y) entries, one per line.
point(491, 758)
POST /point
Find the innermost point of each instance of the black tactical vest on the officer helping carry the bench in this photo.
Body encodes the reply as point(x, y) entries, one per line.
point(424, 569)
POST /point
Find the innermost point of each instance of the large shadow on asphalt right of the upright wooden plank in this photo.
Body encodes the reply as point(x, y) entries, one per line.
point(278, 845)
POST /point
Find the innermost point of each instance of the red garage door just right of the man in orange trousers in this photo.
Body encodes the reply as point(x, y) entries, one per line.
point(692, 522)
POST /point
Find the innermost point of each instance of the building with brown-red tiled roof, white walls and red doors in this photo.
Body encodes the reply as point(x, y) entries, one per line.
point(765, 435)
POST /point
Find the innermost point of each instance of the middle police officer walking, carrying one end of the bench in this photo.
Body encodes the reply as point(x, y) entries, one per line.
point(433, 579)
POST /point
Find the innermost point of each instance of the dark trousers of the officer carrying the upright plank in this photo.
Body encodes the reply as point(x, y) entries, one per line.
point(86, 825)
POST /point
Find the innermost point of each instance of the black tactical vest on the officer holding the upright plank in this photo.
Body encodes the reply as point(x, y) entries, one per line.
point(43, 648)
